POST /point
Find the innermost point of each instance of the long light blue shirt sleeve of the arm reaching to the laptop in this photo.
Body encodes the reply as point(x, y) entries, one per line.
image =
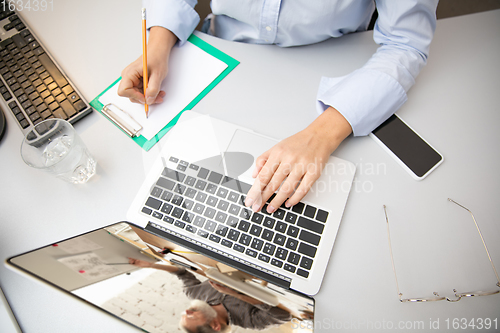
point(371, 94)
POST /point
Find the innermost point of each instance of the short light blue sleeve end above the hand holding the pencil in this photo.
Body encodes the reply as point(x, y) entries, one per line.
point(177, 16)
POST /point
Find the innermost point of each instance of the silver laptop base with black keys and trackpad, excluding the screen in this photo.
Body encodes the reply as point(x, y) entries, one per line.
point(193, 196)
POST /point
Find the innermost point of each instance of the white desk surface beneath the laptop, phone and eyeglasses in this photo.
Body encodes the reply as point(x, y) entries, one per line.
point(454, 105)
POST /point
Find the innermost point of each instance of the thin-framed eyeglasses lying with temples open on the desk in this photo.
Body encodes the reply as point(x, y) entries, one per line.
point(436, 296)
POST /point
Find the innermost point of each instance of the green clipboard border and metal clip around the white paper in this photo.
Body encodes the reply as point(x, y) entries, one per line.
point(120, 119)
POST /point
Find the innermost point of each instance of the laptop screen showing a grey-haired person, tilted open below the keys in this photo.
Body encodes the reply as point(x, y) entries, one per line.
point(159, 286)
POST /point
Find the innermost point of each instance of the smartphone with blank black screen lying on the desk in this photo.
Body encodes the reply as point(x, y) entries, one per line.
point(408, 146)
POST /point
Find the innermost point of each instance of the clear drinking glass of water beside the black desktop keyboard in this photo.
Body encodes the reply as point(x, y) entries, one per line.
point(54, 146)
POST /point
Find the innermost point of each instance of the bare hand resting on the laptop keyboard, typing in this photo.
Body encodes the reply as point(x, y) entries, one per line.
point(294, 164)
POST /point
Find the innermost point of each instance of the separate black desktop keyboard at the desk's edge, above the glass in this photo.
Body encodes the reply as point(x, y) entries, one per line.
point(32, 85)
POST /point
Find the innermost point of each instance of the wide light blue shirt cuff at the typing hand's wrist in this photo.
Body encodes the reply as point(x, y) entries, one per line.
point(366, 98)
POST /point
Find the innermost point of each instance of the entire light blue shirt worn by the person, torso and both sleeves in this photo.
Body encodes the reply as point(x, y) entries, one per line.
point(365, 97)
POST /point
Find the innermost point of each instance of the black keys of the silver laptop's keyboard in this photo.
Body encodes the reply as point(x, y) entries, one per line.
point(210, 207)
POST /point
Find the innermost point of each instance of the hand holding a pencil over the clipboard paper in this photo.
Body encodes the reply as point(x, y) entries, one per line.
point(160, 44)
